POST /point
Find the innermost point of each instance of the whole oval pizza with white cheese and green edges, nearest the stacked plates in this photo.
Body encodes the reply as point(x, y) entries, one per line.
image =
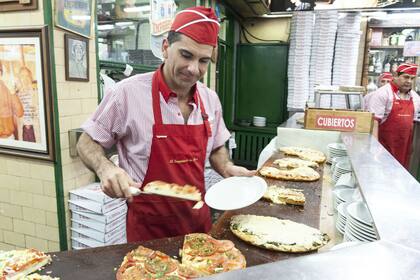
point(277, 234)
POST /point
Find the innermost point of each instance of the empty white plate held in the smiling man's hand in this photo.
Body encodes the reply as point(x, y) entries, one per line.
point(235, 192)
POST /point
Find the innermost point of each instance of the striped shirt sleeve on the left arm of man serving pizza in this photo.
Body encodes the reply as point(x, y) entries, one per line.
point(105, 125)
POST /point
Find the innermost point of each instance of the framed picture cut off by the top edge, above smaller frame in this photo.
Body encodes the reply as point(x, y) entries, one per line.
point(75, 16)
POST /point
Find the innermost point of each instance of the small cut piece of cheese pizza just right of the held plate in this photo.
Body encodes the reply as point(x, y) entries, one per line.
point(283, 195)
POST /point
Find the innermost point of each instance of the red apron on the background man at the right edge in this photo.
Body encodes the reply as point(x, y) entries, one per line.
point(396, 133)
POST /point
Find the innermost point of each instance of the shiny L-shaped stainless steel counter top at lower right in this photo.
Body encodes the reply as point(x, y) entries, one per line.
point(393, 197)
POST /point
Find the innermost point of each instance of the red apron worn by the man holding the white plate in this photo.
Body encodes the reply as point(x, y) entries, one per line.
point(177, 155)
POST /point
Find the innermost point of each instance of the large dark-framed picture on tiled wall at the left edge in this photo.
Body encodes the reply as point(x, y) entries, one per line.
point(26, 120)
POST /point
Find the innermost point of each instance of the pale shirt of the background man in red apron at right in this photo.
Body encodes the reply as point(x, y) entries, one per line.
point(380, 101)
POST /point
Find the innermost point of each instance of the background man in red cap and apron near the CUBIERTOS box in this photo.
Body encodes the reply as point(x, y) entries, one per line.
point(395, 105)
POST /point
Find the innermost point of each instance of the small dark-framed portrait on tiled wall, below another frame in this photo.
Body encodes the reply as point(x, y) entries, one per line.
point(76, 58)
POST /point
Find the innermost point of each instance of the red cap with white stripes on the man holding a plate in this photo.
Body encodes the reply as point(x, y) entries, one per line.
point(198, 23)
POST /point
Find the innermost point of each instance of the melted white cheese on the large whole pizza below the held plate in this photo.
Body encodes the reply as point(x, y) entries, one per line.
point(276, 231)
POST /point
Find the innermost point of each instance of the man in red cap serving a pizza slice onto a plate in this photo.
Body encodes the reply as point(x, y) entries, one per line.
point(165, 125)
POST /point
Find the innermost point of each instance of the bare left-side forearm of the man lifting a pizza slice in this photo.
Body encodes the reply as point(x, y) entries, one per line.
point(92, 154)
